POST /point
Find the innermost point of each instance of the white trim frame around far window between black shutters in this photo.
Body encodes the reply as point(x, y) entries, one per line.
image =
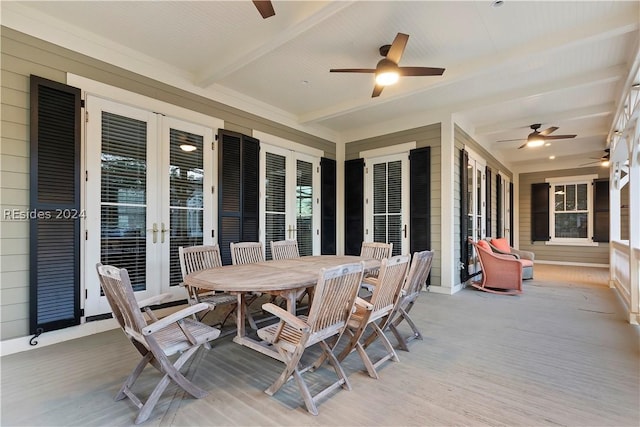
point(569, 180)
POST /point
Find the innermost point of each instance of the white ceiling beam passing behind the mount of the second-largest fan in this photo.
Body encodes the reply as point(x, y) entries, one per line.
point(574, 114)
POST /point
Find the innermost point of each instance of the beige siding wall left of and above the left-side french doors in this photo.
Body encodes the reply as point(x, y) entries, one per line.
point(23, 55)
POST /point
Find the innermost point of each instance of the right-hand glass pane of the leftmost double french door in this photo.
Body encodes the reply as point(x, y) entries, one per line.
point(186, 172)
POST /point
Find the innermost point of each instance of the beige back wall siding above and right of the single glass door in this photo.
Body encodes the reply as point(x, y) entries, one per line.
point(426, 136)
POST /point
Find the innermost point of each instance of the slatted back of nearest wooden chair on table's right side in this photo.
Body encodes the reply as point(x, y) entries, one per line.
point(334, 296)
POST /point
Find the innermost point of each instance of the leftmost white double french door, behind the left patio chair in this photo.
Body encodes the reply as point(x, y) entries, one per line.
point(146, 195)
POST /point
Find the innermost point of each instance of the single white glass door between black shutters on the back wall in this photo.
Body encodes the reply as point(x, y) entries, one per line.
point(386, 201)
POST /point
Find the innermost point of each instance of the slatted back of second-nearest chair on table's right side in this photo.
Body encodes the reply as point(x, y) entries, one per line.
point(393, 272)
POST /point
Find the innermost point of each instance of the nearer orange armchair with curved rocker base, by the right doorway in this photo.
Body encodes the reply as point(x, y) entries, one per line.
point(501, 274)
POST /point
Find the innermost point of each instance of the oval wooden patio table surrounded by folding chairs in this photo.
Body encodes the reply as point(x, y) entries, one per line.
point(278, 277)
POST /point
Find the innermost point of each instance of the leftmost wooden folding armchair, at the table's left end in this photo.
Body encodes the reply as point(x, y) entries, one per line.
point(156, 339)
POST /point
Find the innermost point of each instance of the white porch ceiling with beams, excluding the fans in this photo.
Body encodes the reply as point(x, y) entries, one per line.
point(558, 63)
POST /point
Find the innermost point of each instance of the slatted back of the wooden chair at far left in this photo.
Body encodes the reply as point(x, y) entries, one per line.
point(116, 286)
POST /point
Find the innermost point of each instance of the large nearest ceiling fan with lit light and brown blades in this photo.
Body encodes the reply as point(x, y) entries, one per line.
point(387, 71)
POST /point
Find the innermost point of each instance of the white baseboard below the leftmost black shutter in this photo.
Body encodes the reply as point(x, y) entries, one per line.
point(17, 345)
